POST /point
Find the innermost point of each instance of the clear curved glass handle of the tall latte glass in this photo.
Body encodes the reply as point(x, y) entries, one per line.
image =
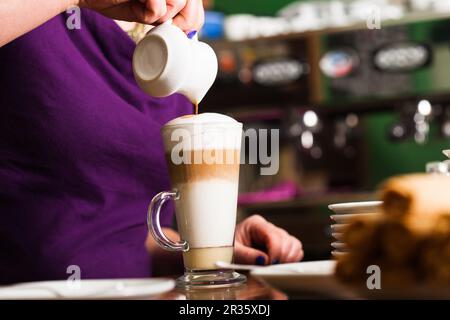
point(154, 226)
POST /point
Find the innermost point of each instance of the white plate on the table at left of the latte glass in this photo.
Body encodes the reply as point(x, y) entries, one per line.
point(87, 289)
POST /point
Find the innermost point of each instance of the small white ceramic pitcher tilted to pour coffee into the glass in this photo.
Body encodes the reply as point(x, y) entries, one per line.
point(166, 61)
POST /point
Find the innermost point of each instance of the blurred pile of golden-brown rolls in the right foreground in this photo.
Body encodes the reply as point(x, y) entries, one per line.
point(409, 241)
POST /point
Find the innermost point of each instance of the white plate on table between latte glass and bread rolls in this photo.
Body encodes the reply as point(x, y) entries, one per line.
point(303, 278)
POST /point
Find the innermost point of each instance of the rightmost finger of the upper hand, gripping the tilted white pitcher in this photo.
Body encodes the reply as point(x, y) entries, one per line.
point(191, 17)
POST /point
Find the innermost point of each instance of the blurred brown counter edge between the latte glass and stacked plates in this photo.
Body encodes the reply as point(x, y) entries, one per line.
point(309, 201)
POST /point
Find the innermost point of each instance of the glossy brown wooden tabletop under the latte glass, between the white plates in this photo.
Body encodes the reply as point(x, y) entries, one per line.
point(252, 290)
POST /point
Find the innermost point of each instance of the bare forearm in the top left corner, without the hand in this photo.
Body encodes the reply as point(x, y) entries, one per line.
point(17, 17)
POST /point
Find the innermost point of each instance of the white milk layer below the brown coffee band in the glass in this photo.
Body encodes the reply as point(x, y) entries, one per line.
point(206, 212)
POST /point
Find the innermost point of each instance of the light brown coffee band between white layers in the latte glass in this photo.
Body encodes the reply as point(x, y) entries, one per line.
point(225, 168)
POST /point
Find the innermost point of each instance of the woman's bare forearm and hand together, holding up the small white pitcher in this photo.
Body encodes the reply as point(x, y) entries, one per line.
point(17, 17)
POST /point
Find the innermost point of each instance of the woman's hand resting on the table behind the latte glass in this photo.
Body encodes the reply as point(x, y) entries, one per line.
point(260, 242)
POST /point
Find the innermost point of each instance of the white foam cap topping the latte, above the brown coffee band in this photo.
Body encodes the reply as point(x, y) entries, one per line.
point(203, 131)
